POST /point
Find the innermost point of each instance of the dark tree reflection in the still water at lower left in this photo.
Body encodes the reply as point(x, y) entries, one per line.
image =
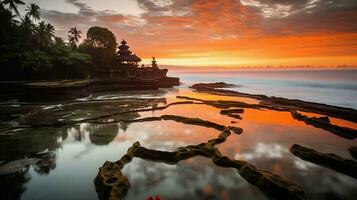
point(40, 144)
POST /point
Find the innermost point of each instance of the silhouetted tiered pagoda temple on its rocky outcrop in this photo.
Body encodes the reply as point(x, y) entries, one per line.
point(126, 69)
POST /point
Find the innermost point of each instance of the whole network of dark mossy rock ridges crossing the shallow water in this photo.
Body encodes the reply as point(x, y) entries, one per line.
point(112, 183)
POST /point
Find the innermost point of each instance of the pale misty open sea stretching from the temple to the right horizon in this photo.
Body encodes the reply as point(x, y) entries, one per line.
point(334, 87)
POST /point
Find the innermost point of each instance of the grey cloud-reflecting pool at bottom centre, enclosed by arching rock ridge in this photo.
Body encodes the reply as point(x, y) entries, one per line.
point(196, 178)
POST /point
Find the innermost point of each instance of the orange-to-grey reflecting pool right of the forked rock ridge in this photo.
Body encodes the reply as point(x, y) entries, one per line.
point(265, 143)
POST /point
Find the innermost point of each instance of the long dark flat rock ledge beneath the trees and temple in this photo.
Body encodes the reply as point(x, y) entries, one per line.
point(72, 89)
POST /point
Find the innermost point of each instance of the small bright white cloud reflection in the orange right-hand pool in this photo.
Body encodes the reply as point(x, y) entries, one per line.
point(263, 150)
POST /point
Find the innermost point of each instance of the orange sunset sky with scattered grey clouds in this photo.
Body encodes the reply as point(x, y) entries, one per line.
point(220, 33)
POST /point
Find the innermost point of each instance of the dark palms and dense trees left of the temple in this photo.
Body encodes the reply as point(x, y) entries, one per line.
point(30, 50)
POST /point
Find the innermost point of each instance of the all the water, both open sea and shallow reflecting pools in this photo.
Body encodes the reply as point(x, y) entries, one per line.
point(65, 158)
